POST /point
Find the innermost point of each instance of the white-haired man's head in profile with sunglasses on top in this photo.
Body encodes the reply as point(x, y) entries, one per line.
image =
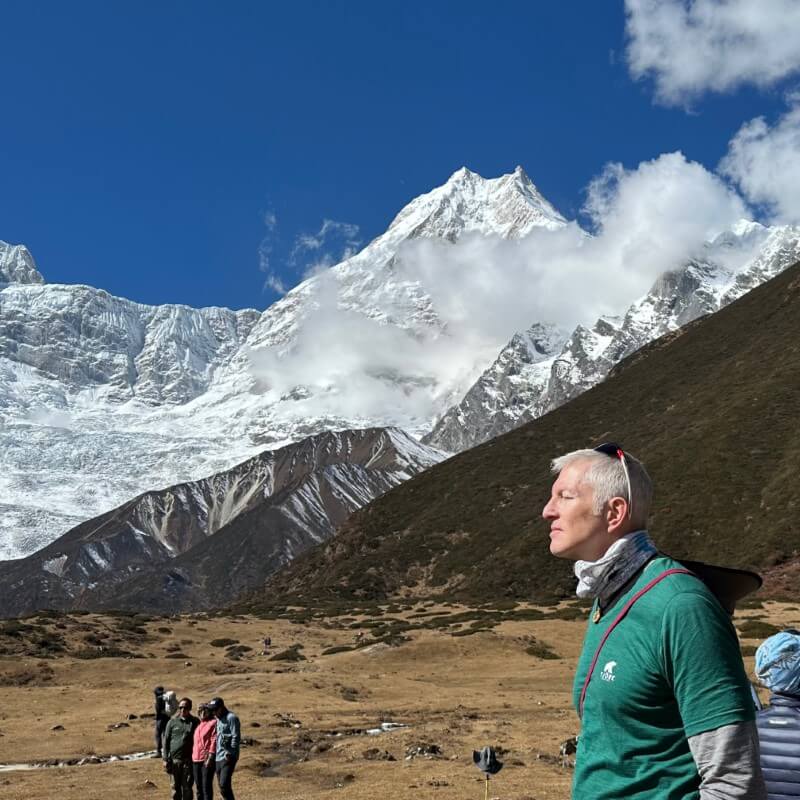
point(598, 496)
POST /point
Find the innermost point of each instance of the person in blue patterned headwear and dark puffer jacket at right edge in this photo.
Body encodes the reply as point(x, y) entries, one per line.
point(778, 668)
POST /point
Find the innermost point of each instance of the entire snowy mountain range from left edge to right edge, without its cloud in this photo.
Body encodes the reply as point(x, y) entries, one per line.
point(102, 398)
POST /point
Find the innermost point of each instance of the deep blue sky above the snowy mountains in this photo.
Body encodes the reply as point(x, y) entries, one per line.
point(143, 145)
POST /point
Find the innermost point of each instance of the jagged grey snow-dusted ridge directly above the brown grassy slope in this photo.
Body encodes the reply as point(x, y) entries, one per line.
point(519, 386)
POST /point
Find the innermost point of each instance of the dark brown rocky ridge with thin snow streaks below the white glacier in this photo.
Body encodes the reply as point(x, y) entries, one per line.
point(196, 544)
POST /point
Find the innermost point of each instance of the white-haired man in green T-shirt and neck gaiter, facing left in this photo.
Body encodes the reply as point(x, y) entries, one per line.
point(665, 706)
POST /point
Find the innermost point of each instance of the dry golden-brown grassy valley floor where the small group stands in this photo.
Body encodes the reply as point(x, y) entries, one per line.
point(305, 720)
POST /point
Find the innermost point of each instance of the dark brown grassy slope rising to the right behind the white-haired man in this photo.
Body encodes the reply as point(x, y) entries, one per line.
point(713, 413)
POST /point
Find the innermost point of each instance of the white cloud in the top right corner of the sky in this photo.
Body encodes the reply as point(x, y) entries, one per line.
point(689, 47)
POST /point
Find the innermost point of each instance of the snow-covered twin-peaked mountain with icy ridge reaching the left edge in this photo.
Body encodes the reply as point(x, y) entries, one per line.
point(102, 398)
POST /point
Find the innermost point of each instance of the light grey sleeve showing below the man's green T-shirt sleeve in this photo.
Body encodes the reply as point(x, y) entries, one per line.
point(728, 761)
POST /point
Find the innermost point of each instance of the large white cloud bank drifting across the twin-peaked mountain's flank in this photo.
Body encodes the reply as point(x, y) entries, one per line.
point(484, 289)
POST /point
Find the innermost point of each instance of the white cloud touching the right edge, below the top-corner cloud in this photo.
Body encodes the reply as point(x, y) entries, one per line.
point(765, 162)
